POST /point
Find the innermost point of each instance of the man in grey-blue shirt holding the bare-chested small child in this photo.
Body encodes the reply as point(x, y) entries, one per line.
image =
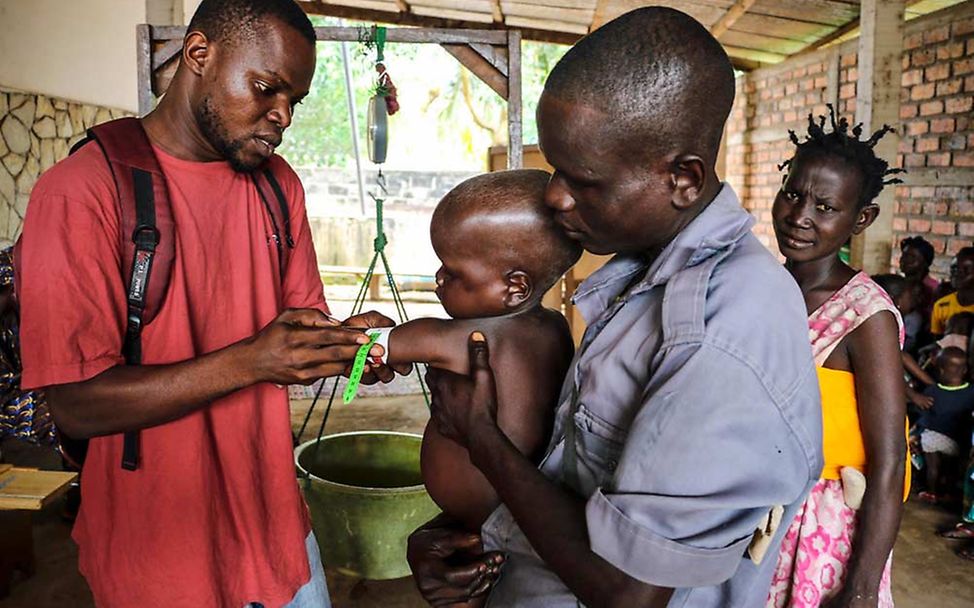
point(688, 430)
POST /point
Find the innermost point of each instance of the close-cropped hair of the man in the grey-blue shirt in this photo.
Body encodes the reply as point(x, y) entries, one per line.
point(662, 79)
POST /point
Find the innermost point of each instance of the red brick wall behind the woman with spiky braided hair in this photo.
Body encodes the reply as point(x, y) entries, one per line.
point(937, 145)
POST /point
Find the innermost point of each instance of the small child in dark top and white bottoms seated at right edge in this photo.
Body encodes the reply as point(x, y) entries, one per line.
point(946, 425)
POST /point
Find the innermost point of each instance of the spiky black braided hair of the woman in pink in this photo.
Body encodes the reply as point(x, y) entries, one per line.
point(845, 144)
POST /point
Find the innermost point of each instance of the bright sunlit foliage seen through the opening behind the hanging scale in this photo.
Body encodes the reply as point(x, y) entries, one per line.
point(448, 118)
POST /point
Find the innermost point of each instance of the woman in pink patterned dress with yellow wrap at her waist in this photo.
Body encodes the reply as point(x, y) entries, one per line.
point(837, 551)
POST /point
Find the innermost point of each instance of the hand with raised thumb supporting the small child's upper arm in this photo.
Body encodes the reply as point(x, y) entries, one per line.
point(461, 404)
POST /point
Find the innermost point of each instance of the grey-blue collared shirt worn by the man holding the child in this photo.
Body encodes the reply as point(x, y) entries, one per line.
point(691, 410)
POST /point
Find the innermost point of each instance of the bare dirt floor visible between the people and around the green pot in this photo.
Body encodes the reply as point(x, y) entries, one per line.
point(925, 571)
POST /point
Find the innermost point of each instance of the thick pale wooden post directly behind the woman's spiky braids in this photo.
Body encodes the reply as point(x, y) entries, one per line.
point(878, 103)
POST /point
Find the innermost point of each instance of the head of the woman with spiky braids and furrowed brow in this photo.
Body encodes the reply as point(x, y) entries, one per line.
point(829, 191)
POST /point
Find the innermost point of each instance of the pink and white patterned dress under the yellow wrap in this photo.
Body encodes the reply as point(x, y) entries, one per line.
point(814, 553)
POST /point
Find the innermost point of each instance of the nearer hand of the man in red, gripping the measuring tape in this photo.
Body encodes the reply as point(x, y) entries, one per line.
point(300, 346)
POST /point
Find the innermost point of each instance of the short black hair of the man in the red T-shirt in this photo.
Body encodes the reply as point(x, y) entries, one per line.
point(230, 21)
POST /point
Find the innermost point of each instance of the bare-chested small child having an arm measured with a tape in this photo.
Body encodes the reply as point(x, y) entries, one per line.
point(500, 251)
